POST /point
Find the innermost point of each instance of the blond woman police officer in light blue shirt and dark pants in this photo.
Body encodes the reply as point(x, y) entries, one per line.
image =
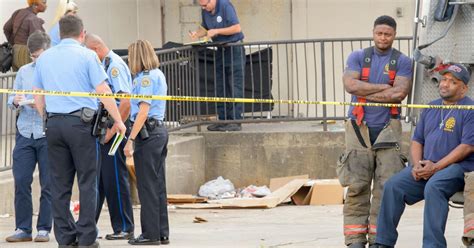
point(150, 138)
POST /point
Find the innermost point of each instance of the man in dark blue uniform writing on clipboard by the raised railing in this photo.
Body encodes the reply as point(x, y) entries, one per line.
point(220, 22)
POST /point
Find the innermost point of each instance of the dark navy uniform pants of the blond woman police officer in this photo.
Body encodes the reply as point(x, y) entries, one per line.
point(149, 157)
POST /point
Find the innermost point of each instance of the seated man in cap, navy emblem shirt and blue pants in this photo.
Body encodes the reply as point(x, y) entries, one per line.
point(441, 151)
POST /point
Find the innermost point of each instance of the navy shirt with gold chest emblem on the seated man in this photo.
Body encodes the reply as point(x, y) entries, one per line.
point(457, 128)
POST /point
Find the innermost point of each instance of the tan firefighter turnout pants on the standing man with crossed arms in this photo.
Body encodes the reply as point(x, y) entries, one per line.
point(361, 164)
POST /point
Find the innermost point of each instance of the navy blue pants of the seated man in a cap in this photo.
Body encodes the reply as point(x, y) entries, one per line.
point(402, 189)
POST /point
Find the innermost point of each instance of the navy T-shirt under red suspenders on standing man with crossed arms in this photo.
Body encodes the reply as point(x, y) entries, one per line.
point(377, 116)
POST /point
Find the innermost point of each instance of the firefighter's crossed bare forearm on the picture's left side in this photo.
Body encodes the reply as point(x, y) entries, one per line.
point(354, 86)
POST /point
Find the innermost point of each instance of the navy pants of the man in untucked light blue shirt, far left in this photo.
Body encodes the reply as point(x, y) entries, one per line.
point(26, 154)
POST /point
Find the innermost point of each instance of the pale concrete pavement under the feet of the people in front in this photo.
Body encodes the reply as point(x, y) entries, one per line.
point(284, 226)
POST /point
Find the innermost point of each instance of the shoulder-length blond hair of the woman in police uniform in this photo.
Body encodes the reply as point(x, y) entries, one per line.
point(142, 57)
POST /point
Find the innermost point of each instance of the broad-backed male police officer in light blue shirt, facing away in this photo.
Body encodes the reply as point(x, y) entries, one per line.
point(71, 146)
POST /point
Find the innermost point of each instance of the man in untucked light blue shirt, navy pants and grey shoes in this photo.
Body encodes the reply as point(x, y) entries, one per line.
point(30, 148)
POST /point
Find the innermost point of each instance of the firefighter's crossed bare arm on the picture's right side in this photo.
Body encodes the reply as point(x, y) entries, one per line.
point(395, 94)
